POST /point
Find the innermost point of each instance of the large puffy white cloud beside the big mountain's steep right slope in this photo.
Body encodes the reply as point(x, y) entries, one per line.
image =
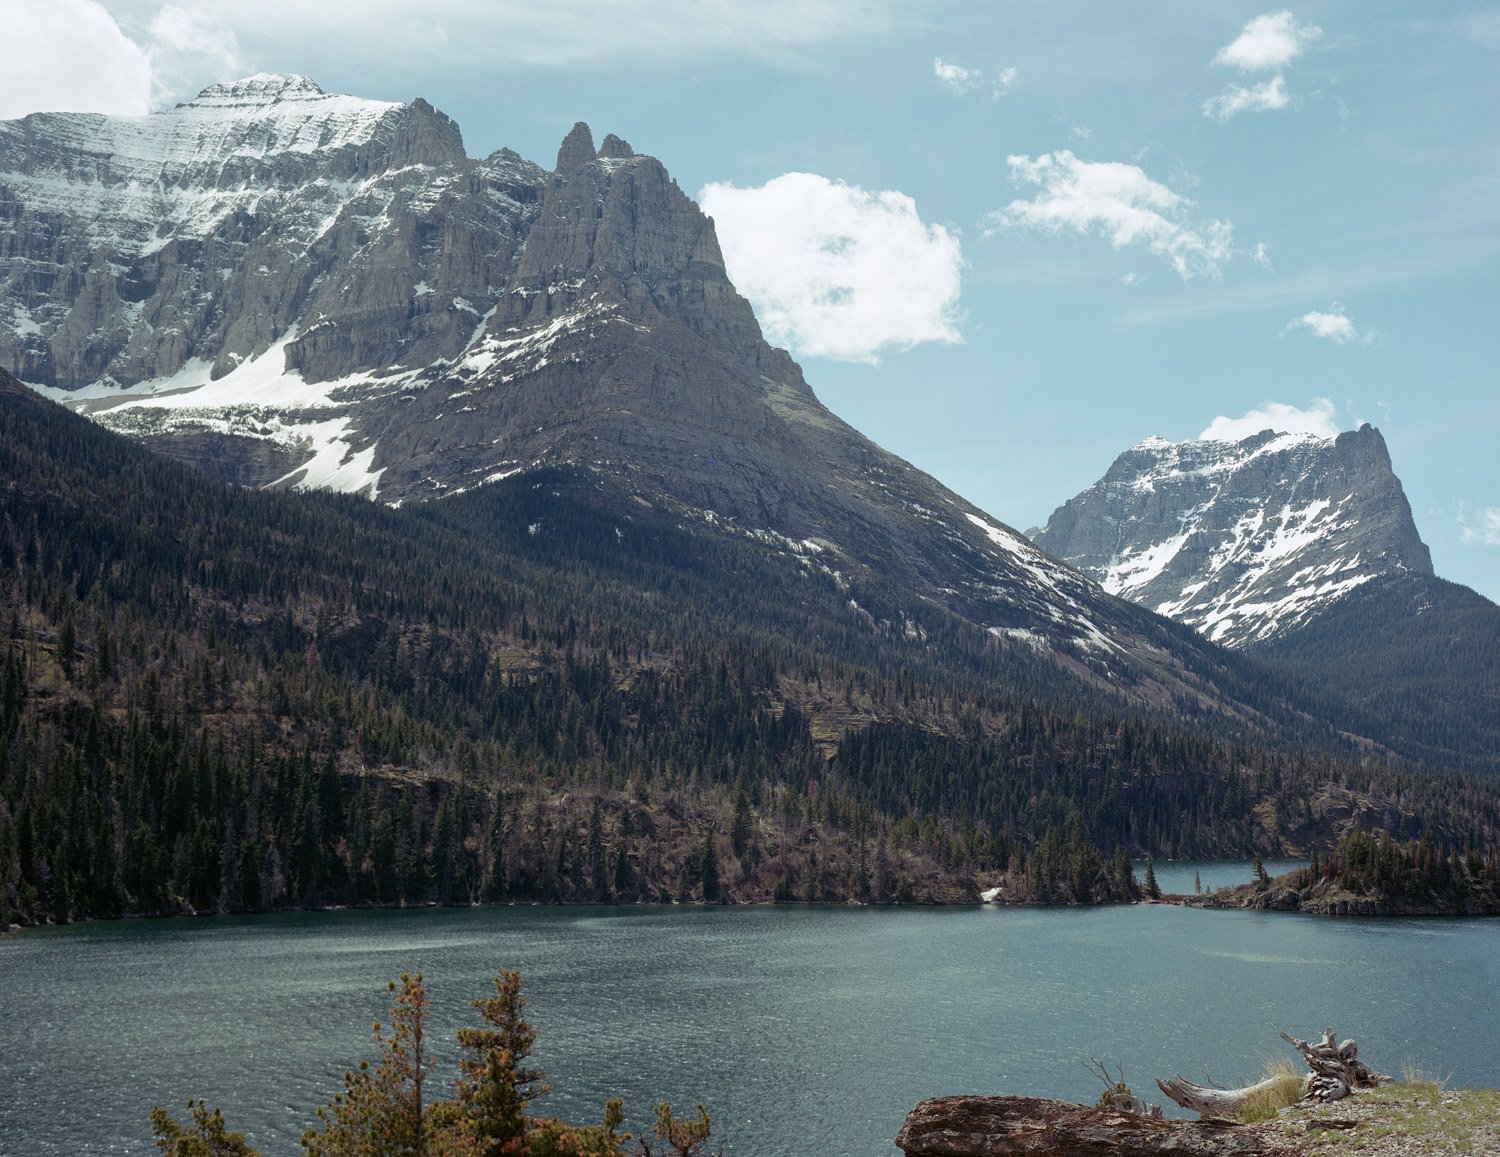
point(835, 271)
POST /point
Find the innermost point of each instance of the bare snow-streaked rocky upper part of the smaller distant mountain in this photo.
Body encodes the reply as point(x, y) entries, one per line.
point(1244, 541)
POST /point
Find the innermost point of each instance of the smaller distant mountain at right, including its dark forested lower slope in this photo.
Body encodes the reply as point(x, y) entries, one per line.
point(1301, 551)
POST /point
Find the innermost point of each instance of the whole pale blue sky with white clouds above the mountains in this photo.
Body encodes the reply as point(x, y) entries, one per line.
point(1007, 241)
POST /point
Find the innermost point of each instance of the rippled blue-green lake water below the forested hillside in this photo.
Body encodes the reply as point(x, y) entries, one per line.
point(806, 1030)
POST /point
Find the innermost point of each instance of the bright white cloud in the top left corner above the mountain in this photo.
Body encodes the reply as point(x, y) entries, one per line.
point(70, 56)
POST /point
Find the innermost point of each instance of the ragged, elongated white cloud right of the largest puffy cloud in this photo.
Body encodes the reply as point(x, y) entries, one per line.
point(1120, 203)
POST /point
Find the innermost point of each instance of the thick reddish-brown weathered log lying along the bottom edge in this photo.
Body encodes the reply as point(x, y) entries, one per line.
point(1037, 1128)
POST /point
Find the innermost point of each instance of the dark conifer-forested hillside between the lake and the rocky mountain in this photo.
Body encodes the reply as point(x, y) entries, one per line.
point(214, 699)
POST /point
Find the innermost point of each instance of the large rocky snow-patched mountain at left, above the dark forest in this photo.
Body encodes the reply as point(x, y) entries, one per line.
point(292, 289)
